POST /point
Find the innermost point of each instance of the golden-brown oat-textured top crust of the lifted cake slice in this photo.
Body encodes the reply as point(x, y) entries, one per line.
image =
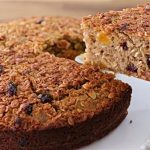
point(134, 21)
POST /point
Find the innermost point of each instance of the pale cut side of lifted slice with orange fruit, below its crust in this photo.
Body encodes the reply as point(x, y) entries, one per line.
point(118, 52)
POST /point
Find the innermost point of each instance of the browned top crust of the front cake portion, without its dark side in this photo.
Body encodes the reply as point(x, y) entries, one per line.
point(75, 92)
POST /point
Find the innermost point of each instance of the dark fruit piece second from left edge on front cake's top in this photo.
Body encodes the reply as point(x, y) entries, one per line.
point(12, 89)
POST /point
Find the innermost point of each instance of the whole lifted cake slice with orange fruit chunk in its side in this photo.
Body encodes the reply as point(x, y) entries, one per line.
point(120, 40)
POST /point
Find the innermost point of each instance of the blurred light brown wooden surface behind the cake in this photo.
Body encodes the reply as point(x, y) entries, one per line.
point(11, 9)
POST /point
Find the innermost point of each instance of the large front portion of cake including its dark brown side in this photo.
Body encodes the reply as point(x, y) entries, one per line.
point(51, 103)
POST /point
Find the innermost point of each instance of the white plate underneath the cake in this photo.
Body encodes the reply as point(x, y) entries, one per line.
point(129, 136)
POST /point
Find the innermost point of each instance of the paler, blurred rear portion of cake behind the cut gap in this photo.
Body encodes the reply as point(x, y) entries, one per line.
point(60, 36)
